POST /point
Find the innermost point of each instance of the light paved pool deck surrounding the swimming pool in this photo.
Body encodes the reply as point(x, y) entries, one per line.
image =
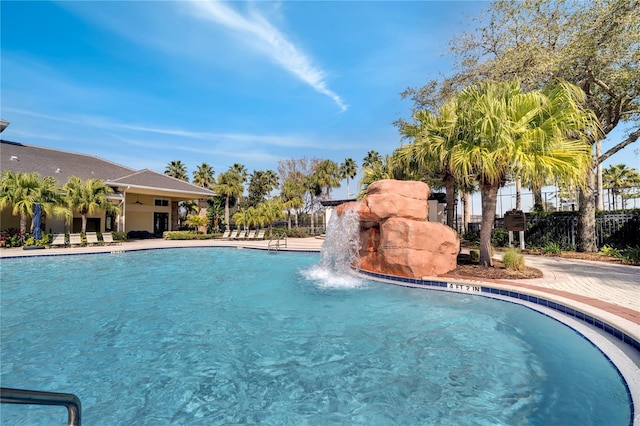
point(610, 292)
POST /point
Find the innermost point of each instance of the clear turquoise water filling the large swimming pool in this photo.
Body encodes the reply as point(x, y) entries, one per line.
point(227, 336)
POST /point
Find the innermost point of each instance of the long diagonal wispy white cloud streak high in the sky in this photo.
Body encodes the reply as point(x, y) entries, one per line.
point(271, 41)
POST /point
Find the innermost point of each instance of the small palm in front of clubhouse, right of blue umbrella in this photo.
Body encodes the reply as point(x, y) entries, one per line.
point(87, 197)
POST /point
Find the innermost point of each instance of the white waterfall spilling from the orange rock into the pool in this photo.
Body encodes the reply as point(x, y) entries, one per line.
point(340, 253)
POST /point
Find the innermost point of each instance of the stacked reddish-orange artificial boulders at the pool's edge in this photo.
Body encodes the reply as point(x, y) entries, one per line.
point(396, 238)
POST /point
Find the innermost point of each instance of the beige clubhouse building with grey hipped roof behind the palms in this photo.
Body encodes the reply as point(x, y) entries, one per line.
point(148, 200)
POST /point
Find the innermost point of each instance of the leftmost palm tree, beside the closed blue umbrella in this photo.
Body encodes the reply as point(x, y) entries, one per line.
point(21, 191)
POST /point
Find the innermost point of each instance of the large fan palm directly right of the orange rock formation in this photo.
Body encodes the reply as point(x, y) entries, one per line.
point(507, 132)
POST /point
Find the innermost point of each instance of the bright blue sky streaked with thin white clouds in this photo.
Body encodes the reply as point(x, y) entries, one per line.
point(142, 83)
